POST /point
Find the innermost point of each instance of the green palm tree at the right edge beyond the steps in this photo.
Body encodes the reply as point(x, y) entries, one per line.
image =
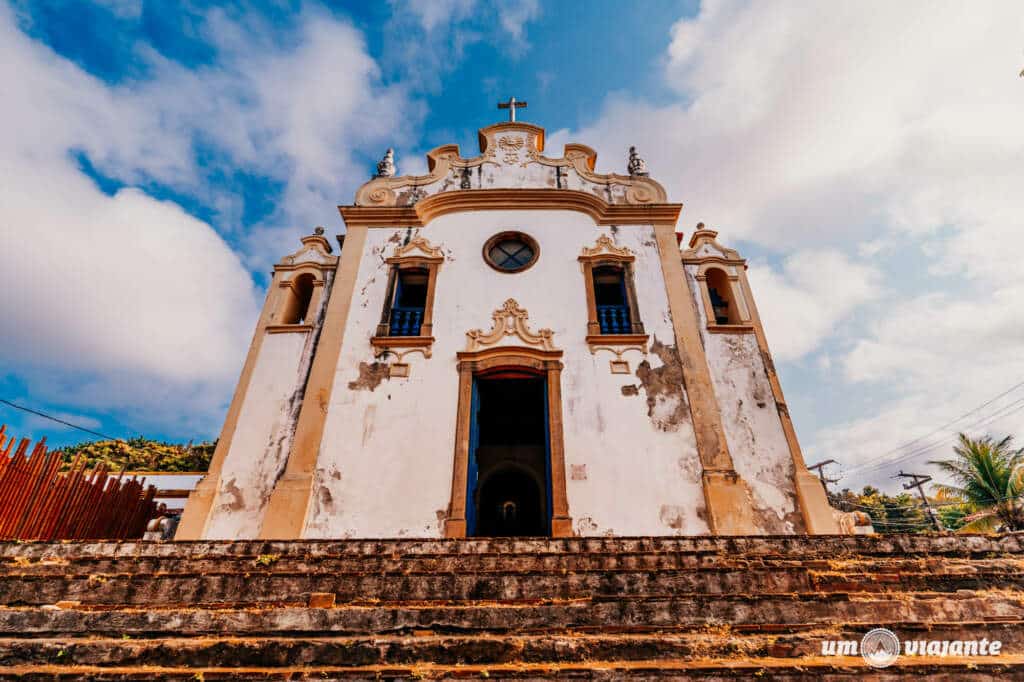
point(989, 477)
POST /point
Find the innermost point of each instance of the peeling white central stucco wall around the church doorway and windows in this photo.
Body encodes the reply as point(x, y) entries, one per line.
point(387, 459)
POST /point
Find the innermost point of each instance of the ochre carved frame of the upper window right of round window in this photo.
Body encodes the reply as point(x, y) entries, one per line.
point(606, 253)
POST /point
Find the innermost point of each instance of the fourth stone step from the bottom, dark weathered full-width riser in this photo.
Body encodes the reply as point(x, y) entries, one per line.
point(255, 587)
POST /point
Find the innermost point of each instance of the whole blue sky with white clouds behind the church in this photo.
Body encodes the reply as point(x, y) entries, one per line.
point(866, 158)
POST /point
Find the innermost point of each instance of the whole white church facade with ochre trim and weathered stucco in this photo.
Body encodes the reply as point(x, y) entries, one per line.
point(513, 345)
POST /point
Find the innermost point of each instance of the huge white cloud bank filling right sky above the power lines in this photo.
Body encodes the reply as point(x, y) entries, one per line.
point(851, 129)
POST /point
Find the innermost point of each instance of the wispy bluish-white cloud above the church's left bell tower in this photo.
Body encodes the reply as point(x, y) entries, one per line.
point(304, 116)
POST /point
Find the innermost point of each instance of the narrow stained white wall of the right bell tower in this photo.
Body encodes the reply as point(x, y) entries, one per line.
point(750, 417)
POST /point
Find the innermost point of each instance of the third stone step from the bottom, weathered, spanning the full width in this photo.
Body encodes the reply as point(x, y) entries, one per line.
point(621, 614)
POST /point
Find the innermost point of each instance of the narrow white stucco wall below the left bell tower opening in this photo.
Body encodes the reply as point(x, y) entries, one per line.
point(260, 449)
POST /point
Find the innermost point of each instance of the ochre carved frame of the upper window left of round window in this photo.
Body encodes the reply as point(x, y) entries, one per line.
point(417, 254)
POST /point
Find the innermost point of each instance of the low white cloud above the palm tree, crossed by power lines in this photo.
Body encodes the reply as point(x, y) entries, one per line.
point(943, 356)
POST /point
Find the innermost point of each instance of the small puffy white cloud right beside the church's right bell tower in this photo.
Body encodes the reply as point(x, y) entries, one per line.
point(802, 306)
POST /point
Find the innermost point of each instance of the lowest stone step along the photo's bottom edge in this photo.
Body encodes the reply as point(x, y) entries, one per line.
point(785, 670)
